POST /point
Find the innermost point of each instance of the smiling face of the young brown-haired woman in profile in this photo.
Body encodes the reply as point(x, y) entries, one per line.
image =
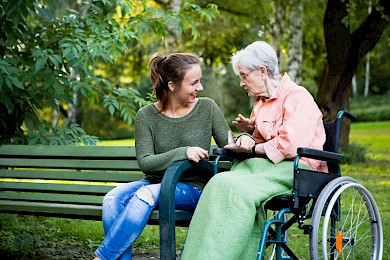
point(190, 86)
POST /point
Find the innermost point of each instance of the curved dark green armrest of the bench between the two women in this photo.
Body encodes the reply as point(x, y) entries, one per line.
point(167, 202)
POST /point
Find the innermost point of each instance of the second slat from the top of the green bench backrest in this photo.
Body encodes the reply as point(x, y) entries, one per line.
point(70, 164)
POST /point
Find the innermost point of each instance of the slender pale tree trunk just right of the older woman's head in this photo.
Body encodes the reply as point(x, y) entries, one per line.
point(295, 42)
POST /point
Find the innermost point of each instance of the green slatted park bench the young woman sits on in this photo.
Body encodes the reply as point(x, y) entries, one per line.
point(71, 181)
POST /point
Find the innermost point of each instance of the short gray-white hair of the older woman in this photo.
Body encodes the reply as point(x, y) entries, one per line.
point(255, 55)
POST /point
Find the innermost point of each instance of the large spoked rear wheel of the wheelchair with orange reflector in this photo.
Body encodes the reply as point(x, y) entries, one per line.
point(346, 223)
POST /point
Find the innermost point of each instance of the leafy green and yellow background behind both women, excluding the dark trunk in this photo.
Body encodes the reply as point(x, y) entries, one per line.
point(67, 62)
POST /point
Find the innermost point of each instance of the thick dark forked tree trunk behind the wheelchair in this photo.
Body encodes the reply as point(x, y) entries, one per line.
point(344, 52)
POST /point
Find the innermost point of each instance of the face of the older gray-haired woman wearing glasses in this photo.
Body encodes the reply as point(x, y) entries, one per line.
point(252, 81)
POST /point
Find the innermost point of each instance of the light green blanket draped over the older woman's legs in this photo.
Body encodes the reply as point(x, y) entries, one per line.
point(229, 217)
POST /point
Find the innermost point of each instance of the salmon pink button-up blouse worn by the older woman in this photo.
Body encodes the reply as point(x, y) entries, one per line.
point(289, 119)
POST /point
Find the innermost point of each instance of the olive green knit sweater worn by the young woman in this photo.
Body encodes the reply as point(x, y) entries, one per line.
point(161, 140)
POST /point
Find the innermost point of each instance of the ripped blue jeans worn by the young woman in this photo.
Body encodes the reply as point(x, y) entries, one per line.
point(126, 210)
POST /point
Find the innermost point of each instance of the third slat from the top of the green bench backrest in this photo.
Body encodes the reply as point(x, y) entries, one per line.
point(94, 176)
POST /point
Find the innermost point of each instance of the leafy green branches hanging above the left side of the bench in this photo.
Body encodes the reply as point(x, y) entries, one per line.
point(49, 50)
